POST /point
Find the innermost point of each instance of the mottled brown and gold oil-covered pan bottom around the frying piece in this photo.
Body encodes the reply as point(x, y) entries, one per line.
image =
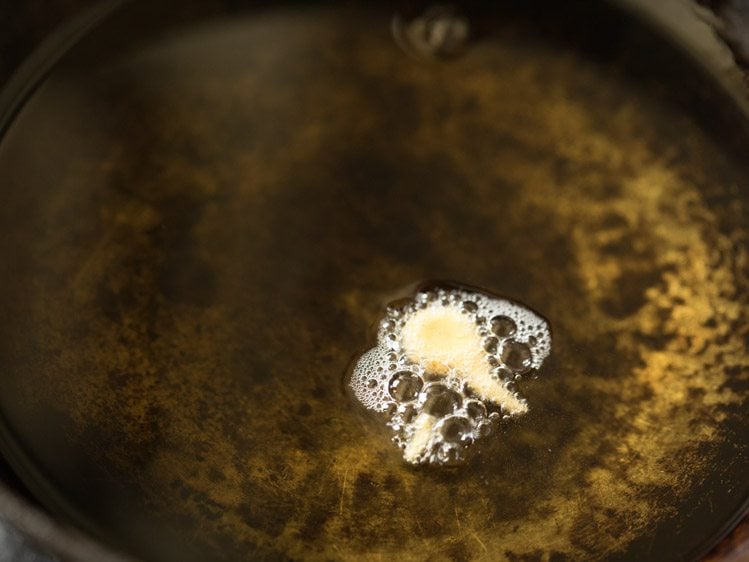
point(204, 215)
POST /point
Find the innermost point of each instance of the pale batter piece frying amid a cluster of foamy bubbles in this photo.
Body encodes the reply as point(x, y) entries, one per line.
point(439, 400)
